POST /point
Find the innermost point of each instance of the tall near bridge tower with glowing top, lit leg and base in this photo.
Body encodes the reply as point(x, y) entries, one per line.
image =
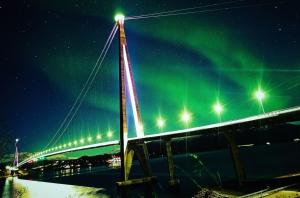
point(126, 85)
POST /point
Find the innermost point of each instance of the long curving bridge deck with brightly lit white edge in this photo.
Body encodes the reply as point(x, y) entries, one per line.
point(280, 116)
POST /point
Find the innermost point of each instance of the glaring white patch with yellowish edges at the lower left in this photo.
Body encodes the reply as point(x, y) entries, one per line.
point(19, 188)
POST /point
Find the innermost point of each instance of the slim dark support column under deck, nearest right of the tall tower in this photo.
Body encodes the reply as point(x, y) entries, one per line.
point(173, 181)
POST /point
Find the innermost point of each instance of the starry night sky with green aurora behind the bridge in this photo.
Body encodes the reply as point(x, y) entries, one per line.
point(48, 49)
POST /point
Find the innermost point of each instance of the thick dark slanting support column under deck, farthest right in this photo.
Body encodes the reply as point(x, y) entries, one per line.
point(238, 166)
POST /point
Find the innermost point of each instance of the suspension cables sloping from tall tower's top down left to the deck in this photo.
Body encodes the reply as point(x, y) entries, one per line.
point(94, 70)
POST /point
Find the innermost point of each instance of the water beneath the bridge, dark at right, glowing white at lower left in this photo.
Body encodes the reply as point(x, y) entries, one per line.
point(195, 170)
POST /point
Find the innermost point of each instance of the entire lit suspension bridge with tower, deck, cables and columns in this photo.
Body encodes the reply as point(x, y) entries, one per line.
point(138, 145)
